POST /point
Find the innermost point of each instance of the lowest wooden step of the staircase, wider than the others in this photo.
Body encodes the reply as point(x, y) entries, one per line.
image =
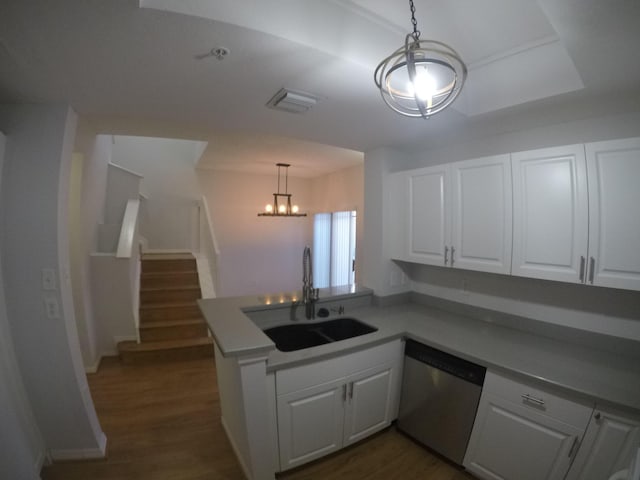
point(183, 349)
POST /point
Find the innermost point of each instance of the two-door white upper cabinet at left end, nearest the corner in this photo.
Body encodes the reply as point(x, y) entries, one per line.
point(457, 215)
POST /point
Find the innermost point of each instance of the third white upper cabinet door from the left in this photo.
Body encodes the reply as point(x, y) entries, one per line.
point(550, 214)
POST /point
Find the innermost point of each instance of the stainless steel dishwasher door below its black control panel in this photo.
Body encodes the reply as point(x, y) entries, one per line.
point(437, 408)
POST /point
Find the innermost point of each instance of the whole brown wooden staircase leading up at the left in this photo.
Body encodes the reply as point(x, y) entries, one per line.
point(171, 325)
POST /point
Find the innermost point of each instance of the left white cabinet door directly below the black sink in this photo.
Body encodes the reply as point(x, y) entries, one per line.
point(310, 423)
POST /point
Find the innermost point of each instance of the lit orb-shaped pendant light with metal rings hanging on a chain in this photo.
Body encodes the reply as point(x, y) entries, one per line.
point(421, 78)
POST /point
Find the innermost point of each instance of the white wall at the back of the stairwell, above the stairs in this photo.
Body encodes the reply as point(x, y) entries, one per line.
point(170, 182)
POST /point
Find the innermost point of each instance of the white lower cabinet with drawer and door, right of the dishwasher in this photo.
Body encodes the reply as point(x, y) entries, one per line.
point(524, 433)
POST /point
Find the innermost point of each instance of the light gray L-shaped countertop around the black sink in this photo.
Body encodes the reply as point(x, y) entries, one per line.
point(597, 375)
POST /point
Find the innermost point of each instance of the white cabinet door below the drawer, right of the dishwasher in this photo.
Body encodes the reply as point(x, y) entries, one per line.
point(511, 442)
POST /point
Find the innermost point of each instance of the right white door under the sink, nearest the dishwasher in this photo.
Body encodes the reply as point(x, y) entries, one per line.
point(369, 403)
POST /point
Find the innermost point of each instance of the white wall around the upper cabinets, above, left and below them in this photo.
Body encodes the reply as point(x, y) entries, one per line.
point(593, 309)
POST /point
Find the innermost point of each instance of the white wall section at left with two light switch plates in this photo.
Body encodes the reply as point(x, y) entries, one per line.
point(35, 208)
